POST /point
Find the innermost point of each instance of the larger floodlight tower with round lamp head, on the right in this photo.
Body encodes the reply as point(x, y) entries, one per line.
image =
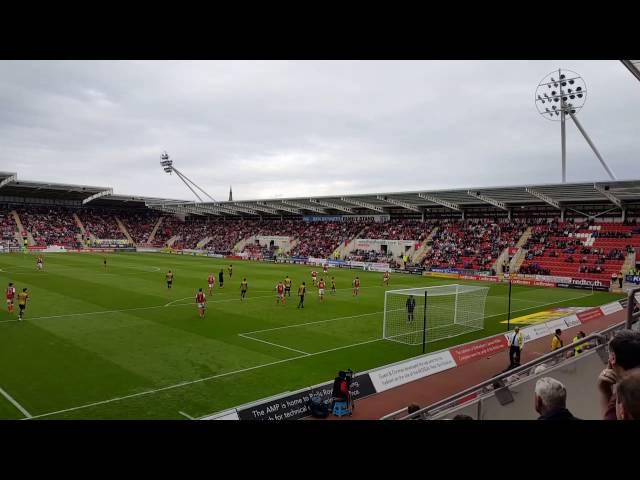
point(566, 96)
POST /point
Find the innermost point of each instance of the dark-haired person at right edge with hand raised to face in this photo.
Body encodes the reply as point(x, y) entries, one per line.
point(624, 355)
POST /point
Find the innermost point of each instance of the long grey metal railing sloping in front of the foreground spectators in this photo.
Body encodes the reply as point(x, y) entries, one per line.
point(500, 381)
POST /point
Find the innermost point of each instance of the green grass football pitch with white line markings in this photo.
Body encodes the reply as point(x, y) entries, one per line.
point(115, 343)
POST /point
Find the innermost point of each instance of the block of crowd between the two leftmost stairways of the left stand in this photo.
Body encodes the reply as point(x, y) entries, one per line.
point(50, 226)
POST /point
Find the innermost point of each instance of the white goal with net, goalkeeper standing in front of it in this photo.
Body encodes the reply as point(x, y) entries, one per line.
point(447, 311)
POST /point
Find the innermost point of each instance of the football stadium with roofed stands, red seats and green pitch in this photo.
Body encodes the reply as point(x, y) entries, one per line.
point(411, 295)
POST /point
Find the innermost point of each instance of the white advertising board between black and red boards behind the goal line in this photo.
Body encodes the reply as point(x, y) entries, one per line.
point(396, 375)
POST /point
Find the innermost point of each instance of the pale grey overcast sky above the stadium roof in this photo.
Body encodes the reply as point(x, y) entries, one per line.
point(283, 129)
